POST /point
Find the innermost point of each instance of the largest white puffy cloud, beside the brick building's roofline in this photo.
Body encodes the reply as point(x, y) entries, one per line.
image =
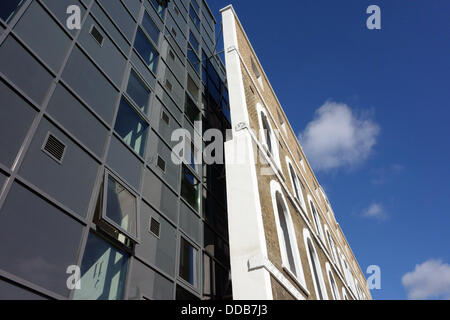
point(338, 137)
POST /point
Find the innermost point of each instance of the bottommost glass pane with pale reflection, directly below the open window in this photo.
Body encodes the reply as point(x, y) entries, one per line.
point(103, 271)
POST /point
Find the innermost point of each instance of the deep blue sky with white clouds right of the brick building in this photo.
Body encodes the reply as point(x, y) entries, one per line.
point(389, 185)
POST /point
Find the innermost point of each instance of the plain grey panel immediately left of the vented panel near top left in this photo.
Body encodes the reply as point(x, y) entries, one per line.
point(48, 40)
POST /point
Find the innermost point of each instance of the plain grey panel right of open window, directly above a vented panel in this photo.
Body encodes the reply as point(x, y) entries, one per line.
point(160, 196)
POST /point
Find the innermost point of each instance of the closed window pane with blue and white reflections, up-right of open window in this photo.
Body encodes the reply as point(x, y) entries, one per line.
point(131, 128)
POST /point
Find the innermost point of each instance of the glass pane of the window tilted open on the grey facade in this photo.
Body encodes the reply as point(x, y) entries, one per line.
point(121, 206)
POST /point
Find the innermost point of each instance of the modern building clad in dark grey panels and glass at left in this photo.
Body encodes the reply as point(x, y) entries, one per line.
point(86, 174)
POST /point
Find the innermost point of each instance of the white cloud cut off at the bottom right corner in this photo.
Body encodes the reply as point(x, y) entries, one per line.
point(429, 280)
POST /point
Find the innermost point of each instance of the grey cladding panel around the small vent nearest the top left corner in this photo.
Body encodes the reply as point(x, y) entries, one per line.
point(107, 56)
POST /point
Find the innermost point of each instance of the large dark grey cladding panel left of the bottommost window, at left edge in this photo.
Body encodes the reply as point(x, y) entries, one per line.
point(37, 241)
